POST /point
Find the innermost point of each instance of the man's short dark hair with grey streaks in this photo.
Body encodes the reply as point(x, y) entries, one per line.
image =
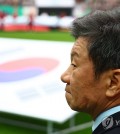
point(103, 30)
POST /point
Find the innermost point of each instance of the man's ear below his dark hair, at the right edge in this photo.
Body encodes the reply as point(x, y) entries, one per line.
point(114, 84)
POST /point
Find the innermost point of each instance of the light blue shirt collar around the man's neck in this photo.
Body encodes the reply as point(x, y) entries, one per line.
point(104, 115)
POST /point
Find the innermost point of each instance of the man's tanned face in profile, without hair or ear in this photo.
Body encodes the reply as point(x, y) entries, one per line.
point(83, 91)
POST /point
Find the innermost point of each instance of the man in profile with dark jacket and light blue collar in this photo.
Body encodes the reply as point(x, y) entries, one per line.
point(93, 77)
